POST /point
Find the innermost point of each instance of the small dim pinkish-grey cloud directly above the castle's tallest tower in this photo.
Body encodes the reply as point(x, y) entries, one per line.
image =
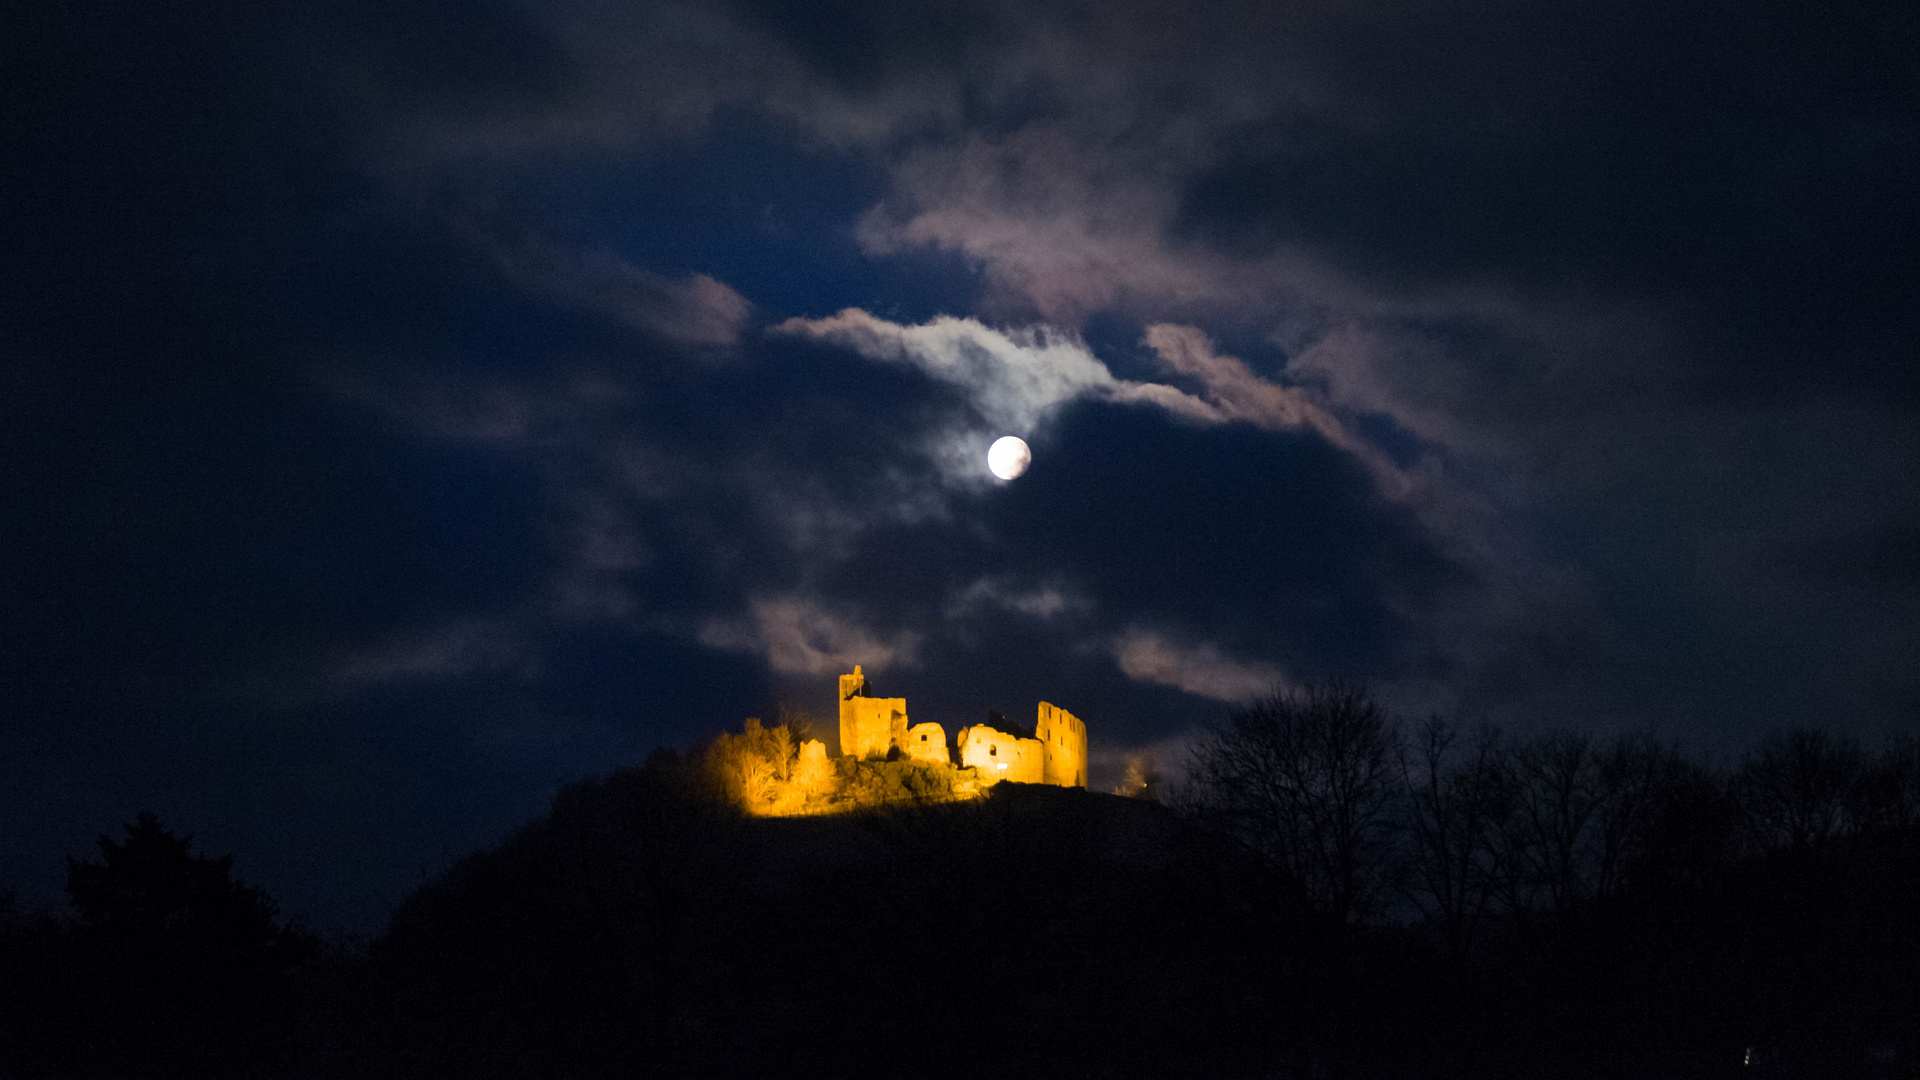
point(805, 637)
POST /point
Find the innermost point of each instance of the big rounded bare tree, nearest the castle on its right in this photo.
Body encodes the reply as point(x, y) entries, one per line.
point(1308, 781)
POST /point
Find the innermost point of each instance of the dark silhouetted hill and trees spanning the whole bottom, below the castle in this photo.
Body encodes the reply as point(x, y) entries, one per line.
point(1326, 891)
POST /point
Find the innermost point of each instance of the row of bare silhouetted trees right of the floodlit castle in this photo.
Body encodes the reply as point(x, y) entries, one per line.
point(1470, 827)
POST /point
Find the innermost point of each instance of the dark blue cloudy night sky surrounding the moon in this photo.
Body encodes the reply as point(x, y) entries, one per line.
point(412, 408)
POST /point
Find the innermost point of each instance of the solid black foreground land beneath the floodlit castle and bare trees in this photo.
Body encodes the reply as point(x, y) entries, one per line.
point(640, 929)
